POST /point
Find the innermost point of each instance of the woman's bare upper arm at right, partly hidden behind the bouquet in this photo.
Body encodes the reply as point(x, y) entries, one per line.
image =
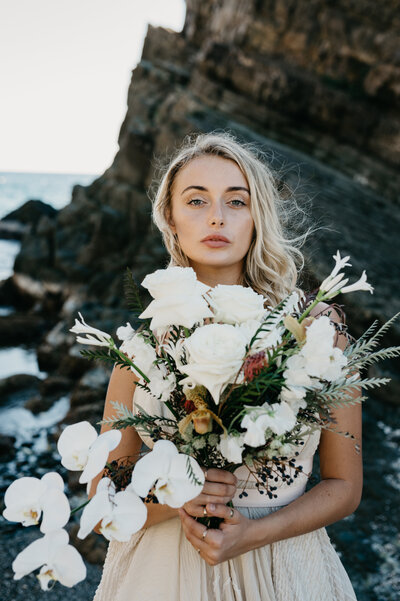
point(338, 456)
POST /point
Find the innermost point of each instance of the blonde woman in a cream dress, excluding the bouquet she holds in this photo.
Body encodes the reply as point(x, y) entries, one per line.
point(218, 209)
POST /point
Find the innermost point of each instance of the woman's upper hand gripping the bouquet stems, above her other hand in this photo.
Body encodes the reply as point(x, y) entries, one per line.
point(219, 488)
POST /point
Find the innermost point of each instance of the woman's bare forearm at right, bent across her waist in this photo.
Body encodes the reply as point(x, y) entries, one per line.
point(327, 502)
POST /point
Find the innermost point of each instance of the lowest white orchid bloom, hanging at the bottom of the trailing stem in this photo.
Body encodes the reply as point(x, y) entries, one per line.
point(60, 560)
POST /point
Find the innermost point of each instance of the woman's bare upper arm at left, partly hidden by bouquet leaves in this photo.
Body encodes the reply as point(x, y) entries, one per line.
point(121, 388)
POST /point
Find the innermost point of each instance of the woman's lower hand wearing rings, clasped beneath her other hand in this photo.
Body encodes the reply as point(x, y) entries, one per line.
point(234, 537)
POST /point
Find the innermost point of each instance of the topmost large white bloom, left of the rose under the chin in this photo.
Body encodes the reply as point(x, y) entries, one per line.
point(177, 297)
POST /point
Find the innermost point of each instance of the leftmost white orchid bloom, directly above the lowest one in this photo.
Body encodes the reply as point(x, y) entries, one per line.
point(28, 499)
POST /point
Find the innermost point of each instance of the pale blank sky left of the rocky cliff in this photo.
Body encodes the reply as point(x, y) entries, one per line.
point(65, 68)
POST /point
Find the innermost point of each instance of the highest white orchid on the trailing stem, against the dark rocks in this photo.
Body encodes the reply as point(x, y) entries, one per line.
point(81, 448)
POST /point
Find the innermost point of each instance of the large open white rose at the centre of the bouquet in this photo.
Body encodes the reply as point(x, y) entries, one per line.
point(215, 354)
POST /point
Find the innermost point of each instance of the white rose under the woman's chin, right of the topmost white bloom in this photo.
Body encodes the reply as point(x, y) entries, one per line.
point(236, 304)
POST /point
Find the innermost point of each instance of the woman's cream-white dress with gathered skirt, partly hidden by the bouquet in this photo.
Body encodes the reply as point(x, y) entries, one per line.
point(160, 564)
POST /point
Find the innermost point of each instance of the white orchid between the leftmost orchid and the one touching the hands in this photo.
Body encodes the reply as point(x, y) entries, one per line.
point(121, 514)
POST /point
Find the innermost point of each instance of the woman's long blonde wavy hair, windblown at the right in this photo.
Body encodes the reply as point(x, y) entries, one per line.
point(273, 261)
